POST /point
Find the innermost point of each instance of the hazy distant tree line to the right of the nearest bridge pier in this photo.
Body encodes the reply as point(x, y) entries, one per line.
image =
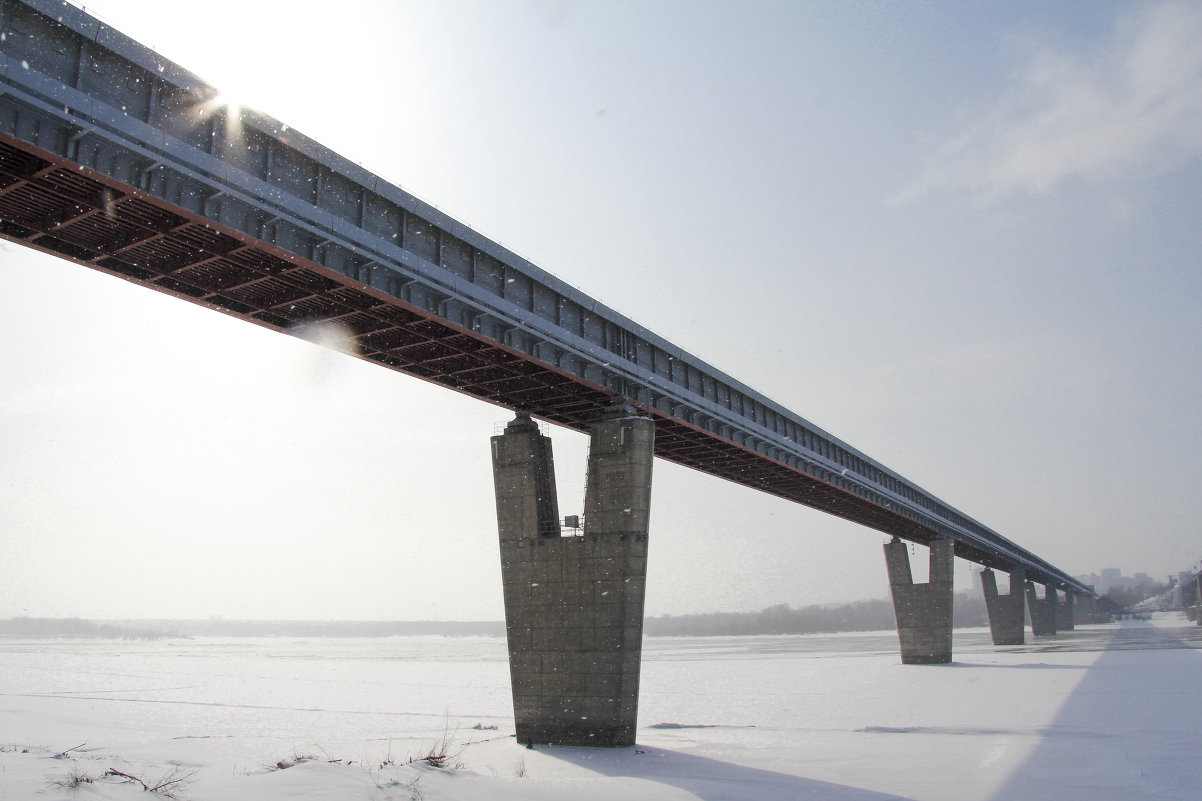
point(824, 619)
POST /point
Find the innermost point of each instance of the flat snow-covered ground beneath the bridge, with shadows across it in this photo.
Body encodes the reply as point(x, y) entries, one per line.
point(1105, 713)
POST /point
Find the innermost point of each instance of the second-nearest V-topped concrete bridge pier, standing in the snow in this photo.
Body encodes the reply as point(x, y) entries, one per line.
point(924, 613)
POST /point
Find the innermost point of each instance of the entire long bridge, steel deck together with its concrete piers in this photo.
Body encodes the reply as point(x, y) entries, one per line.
point(116, 159)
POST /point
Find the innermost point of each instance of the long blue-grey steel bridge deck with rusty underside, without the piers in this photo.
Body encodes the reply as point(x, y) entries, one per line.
point(115, 158)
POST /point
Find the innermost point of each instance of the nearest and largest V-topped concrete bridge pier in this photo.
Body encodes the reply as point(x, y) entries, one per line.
point(574, 606)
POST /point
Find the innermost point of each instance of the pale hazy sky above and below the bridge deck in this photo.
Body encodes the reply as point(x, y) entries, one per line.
point(961, 238)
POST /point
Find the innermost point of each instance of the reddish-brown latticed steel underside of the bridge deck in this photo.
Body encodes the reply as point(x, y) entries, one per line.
point(58, 207)
